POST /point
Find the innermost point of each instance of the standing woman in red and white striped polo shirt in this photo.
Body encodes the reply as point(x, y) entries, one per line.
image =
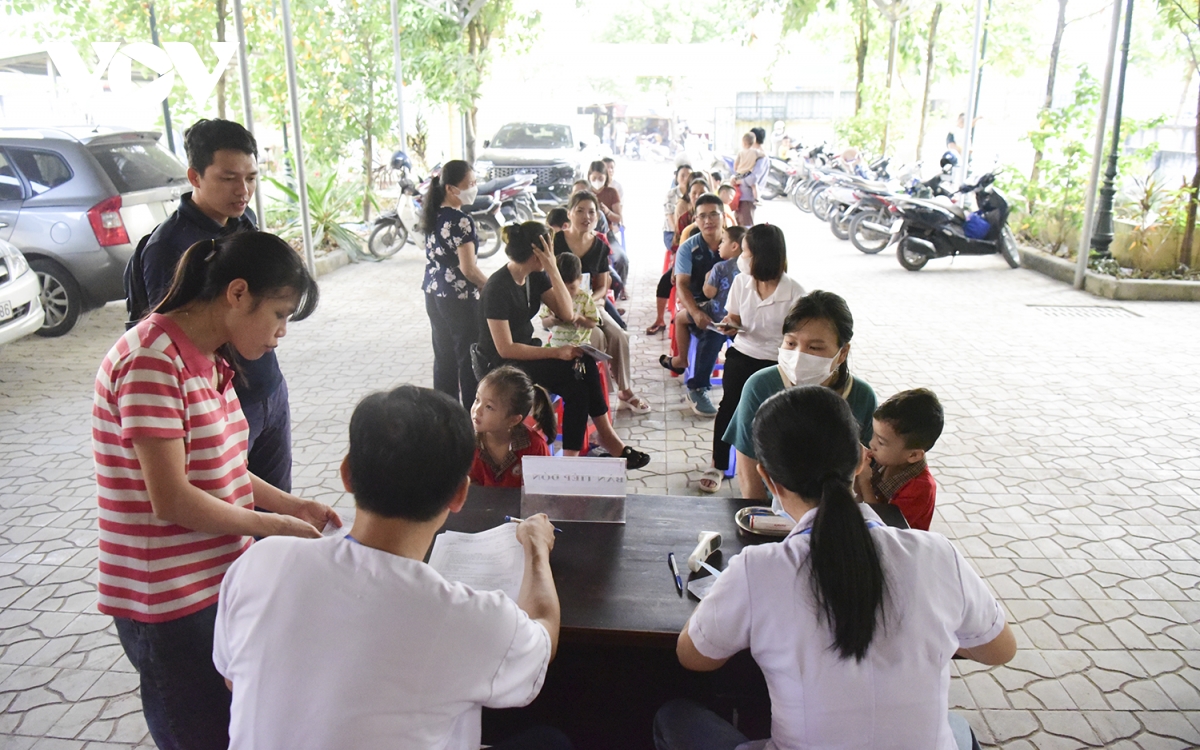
point(177, 502)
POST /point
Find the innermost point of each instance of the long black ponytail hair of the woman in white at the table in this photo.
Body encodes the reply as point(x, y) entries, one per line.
point(807, 441)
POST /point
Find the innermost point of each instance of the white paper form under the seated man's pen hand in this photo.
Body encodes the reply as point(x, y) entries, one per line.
point(487, 562)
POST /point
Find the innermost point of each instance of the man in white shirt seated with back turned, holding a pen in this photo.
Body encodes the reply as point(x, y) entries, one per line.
point(352, 641)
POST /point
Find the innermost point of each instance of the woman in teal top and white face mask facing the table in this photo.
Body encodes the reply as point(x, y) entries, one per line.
point(815, 352)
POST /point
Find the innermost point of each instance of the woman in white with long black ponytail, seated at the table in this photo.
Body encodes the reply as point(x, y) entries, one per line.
point(854, 623)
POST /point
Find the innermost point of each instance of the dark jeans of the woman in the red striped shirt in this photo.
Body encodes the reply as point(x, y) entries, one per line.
point(184, 698)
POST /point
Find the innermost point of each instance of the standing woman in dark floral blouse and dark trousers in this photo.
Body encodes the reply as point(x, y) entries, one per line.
point(453, 279)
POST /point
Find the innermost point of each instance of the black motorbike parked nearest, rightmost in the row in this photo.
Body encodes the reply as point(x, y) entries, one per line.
point(926, 229)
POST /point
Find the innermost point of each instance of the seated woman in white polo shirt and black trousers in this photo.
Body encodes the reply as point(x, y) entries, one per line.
point(760, 299)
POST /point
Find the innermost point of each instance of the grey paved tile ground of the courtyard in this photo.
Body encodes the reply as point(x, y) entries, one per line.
point(1070, 476)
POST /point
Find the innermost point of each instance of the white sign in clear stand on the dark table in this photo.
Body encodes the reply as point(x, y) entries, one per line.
point(574, 489)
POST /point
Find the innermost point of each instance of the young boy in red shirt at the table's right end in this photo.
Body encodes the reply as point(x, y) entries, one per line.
point(907, 427)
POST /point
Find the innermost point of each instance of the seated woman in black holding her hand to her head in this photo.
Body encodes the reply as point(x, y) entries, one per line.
point(509, 302)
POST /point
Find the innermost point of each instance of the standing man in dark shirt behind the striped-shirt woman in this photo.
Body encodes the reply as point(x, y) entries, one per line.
point(223, 167)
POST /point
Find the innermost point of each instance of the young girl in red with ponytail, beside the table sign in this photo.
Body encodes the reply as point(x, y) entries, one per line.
point(506, 398)
